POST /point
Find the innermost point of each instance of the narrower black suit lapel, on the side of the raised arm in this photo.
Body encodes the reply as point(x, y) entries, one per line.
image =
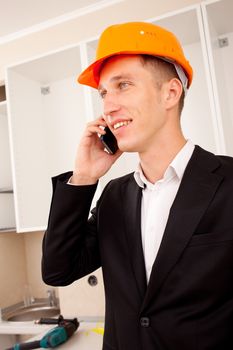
point(132, 195)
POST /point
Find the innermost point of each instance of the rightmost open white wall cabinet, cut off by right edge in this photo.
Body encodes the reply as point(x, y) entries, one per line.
point(219, 33)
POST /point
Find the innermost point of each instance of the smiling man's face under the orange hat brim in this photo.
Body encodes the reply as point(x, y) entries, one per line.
point(132, 103)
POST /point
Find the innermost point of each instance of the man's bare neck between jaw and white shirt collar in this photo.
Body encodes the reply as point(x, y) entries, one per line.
point(155, 161)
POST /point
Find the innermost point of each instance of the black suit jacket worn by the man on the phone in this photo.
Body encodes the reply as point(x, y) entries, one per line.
point(188, 304)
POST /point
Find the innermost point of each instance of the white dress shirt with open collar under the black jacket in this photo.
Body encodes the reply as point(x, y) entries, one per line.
point(157, 200)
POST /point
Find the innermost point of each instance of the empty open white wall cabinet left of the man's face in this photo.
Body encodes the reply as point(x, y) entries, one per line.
point(47, 115)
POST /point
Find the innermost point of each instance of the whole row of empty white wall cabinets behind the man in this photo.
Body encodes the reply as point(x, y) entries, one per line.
point(48, 109)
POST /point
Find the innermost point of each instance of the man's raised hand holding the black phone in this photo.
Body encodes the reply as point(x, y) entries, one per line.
point(92, 162)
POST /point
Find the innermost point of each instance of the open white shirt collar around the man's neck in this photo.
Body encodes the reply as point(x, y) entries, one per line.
point(175, 168)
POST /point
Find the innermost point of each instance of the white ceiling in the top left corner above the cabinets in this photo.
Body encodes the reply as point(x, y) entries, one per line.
point(18, 15)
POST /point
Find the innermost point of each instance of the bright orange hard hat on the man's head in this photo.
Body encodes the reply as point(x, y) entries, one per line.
point(137, 38)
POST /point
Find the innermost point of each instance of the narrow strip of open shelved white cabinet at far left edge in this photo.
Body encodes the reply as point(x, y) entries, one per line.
point(7, 213)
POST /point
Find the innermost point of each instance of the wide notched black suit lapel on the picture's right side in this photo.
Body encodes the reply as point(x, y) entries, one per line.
point(197, 188)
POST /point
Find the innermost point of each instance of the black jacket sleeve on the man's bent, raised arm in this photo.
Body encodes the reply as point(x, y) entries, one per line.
point(70, 244)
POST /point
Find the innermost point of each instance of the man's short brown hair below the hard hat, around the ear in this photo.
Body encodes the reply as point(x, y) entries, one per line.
point(165, 71)
